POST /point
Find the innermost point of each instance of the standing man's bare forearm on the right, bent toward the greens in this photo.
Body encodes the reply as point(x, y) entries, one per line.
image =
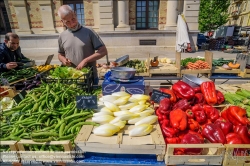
point(102, 51)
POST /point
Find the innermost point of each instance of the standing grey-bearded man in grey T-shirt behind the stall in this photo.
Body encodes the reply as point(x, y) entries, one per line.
point(78, 44)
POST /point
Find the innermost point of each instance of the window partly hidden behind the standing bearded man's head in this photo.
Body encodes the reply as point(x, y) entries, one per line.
point(78, 7)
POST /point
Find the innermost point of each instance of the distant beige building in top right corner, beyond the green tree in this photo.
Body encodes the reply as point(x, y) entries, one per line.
point(239, 13)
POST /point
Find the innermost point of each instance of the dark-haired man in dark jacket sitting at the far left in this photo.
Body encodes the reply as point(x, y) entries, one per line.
point(10, 53)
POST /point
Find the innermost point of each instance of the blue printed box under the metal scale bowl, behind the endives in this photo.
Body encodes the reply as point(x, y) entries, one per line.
point(136, 87)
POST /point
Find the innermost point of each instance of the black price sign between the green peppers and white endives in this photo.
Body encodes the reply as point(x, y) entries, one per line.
point(83, 102)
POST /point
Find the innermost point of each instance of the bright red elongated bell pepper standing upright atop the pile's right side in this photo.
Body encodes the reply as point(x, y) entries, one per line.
point(209, 92)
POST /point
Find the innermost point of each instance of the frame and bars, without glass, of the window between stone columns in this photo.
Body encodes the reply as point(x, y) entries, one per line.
point(147, 16)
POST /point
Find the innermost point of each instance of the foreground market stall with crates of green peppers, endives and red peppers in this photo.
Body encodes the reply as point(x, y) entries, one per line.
point(62, 116)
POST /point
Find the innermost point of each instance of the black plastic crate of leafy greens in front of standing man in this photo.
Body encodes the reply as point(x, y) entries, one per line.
point(84, 82)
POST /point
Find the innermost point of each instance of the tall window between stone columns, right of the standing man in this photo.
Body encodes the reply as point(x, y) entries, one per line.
point(147, 14)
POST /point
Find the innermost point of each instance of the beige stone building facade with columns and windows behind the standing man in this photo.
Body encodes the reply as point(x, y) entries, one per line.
point(124, 25)
